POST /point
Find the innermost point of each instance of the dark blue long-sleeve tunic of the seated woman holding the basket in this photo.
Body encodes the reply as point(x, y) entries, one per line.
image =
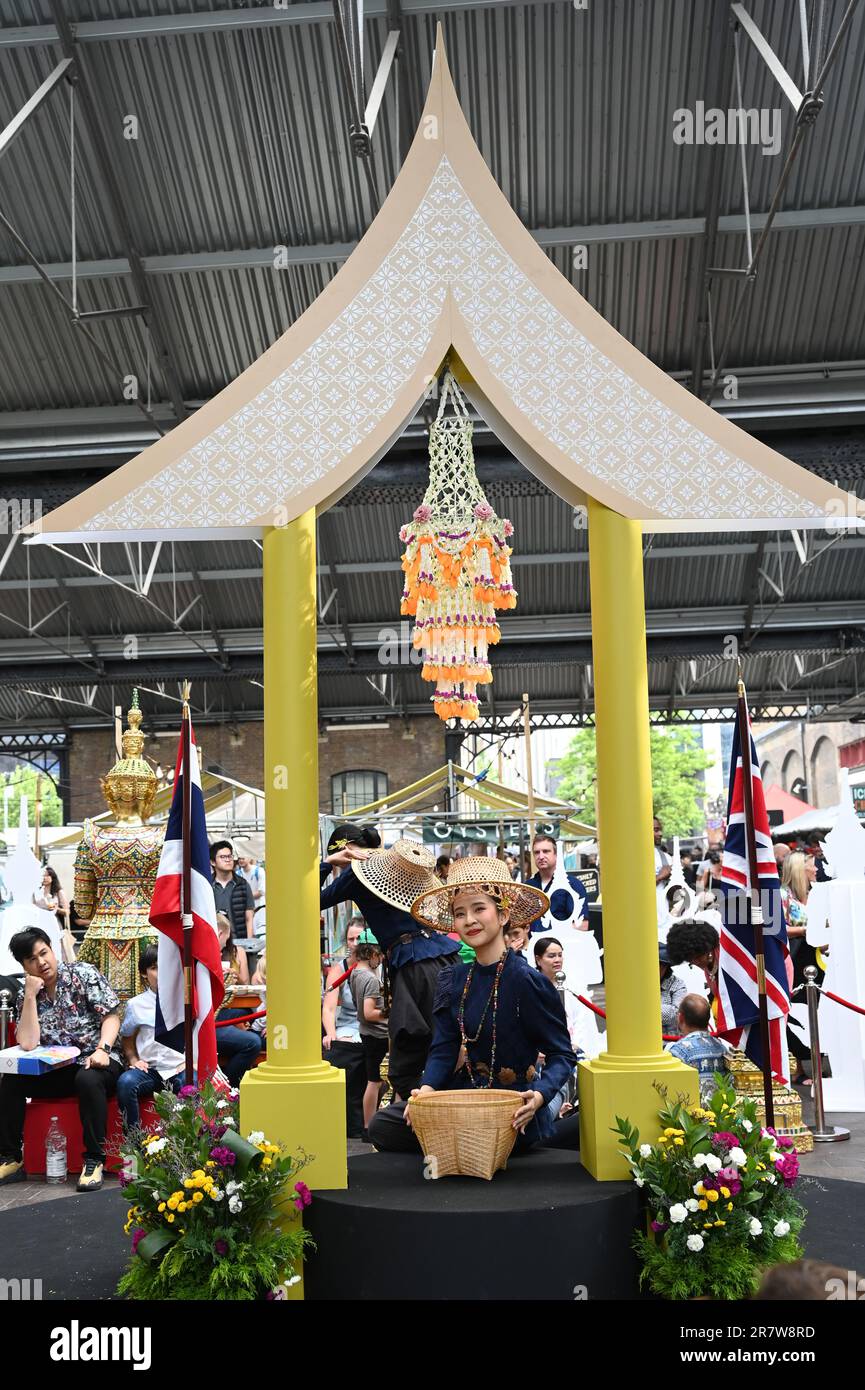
point(531, 1020)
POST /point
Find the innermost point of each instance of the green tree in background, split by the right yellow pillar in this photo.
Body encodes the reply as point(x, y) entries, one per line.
point(678, 760)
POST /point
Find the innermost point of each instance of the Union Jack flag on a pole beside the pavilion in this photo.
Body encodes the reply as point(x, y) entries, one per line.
point(738, 995)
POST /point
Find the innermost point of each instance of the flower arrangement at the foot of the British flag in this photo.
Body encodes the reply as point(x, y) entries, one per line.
point(721, 1202)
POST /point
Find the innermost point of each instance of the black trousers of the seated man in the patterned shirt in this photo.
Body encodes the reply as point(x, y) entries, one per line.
point(91, 1085)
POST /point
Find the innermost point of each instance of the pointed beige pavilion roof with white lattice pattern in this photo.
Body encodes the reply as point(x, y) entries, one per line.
point(447, 266)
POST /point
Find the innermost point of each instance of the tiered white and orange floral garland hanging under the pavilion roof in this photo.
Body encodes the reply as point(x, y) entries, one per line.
point(457, 565)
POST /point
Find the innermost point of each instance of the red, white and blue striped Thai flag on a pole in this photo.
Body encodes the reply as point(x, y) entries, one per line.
point(166, 915)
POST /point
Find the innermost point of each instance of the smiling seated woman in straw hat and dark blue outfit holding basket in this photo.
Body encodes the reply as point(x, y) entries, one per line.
point(493, 1020)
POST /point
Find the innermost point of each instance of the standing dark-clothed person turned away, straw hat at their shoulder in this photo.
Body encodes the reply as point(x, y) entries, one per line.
point(385, 883)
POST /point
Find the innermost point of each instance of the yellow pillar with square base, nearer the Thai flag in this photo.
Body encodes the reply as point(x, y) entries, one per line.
point(294, 1097)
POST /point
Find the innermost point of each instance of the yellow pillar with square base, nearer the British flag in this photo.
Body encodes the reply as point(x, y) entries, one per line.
point(621, 1082)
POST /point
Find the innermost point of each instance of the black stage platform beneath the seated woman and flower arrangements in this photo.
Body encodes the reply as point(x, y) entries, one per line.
point(535, 1232)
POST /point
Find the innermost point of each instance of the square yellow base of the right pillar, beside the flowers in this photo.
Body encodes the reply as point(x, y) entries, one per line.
point(625, 1088)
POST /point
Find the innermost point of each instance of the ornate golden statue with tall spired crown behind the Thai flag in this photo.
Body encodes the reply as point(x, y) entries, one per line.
point(116, 867)
